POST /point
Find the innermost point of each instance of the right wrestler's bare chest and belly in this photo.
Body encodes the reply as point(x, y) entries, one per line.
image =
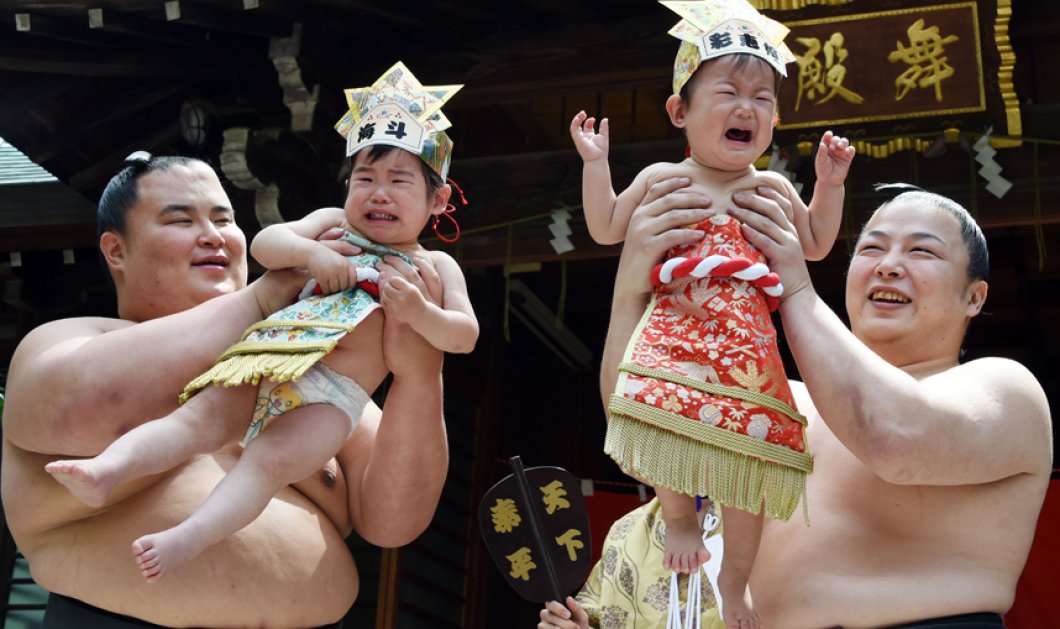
point(877, 554)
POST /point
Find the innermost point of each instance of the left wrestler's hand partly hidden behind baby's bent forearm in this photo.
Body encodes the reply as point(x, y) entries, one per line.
point(405, 352)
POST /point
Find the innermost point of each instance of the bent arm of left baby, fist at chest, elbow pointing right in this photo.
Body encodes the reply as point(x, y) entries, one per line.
point(452, 327)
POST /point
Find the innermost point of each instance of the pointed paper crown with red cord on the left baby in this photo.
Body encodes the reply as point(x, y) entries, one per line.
point(400, 112)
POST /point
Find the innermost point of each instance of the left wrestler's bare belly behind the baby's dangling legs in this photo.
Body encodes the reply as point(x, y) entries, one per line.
point(291, 568)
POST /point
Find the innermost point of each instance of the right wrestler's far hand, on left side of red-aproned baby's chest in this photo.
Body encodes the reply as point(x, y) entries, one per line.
point(658, 225)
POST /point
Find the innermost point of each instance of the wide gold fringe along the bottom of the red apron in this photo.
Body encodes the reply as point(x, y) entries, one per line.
point(735, 470)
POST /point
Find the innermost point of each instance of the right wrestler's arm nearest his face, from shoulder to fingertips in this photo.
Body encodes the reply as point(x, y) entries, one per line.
point(977, 423)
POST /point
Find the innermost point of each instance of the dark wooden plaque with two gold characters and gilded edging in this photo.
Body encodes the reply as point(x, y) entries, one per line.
point(923, 67)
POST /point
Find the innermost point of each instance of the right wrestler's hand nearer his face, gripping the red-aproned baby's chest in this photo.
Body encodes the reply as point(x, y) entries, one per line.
point(766, 225)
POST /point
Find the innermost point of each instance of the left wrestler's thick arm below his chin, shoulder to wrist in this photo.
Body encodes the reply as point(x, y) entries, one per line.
point(75, 386)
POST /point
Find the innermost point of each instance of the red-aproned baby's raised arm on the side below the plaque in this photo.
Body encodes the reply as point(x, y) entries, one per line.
point(819, 225)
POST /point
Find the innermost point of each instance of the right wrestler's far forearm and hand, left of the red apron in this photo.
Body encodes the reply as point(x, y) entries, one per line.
point(656, 226)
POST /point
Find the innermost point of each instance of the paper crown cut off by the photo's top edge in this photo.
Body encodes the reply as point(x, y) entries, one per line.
point(712, 29)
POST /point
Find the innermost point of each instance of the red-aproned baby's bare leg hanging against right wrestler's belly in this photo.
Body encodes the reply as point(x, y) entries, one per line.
point(743, 535)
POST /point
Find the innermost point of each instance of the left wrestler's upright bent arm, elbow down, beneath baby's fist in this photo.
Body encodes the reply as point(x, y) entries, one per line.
point(397, 460)
